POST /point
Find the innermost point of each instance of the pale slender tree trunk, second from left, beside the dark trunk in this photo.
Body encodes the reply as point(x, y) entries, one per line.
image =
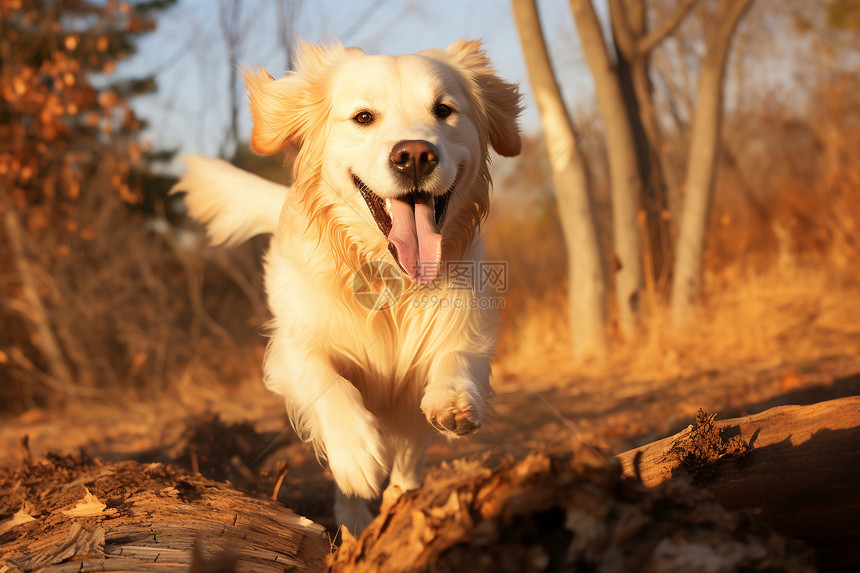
point(625, 182)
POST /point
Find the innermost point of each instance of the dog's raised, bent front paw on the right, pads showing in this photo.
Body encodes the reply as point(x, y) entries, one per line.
point(455, 398)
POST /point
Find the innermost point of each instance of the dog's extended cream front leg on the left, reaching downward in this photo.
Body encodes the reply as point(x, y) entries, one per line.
point(328, 410)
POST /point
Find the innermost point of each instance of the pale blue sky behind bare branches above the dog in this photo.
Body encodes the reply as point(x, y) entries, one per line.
point(189, 57)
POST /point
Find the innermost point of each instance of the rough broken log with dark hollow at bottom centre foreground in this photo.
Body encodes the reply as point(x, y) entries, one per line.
point(565, 512)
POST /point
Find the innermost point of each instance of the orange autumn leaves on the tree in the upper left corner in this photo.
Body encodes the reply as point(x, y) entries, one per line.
point(57, 127)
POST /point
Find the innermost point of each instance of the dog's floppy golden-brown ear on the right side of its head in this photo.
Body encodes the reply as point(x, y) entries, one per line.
point(499, 99)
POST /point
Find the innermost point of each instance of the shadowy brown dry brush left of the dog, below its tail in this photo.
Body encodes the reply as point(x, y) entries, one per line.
point(135, 314)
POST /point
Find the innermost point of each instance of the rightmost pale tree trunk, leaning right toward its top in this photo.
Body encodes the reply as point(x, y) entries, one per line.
point(701, 165)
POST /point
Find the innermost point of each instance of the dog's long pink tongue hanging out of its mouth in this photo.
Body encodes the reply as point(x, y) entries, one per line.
point(415, 236)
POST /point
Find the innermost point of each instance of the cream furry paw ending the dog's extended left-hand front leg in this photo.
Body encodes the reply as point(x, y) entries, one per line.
point(357, 457)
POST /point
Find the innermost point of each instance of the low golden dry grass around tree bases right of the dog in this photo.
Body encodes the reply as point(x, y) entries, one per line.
point(781, 316)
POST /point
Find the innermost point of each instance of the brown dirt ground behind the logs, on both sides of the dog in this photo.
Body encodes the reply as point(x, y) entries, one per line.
point(243, 436)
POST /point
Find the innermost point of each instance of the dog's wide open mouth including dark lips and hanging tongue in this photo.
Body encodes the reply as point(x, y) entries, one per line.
point(412, 224)
